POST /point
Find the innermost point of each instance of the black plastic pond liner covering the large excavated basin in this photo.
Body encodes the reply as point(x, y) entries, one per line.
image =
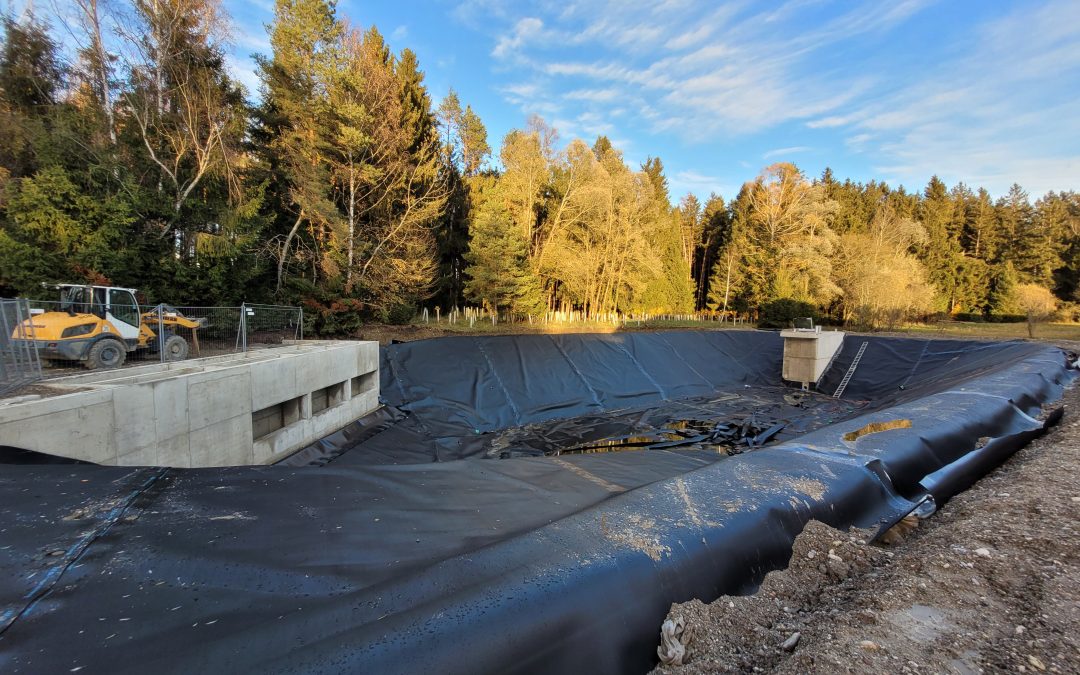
point(553, 546)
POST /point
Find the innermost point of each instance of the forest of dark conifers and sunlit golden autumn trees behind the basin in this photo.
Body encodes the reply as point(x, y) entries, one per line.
point(129, 156)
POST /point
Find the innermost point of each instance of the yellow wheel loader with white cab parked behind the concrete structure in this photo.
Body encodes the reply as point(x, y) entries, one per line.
point(100, 326)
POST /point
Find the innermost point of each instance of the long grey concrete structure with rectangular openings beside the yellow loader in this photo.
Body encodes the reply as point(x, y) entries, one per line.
point(250, 409)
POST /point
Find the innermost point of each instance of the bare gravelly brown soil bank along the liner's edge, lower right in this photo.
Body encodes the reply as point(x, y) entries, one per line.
point(989, 585)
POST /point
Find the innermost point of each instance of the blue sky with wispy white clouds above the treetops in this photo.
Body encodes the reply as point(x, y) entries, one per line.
point(981, 92)
